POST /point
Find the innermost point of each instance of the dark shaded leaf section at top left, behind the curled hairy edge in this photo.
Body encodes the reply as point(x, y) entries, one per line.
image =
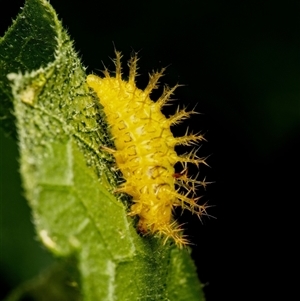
point(27, 45)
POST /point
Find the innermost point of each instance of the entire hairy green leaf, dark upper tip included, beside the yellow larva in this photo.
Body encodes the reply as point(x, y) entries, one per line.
point(68, 180)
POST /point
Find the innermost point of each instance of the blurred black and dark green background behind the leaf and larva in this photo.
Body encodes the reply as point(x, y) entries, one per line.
point(239, 62)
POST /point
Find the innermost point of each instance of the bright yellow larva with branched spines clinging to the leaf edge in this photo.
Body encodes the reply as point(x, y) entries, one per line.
point(145, 151)
